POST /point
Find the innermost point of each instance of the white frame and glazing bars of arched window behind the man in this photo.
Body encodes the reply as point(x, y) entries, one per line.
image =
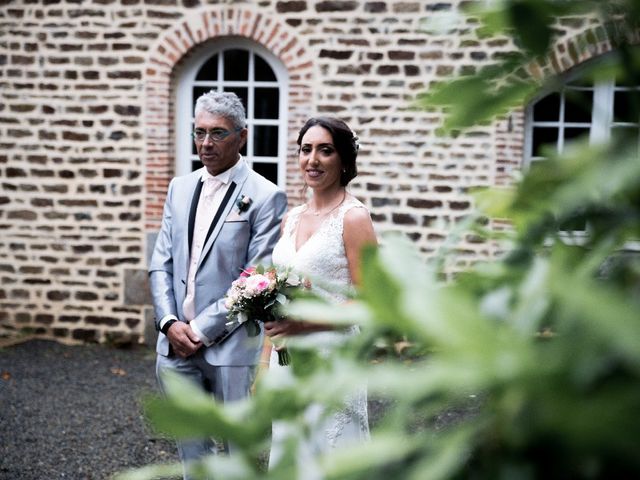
point(186, 80)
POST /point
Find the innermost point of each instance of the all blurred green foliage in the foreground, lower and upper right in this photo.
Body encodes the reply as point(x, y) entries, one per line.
point(527, 367)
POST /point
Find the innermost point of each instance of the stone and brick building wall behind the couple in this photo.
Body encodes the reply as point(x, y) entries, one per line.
point(87, 148)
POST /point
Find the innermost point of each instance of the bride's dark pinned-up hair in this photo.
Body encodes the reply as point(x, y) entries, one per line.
point(344, 140)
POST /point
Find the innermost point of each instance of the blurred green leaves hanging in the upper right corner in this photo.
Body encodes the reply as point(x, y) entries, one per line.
point(498, 88)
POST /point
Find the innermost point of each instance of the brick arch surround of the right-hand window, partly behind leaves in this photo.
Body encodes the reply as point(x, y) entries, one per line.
point(567, 53)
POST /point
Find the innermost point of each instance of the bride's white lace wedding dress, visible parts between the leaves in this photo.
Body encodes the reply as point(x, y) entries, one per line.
point(322, 258)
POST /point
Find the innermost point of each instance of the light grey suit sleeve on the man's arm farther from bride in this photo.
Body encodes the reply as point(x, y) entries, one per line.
point(161, 266)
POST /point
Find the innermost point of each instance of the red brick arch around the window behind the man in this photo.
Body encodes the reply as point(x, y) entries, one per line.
point(167, 53)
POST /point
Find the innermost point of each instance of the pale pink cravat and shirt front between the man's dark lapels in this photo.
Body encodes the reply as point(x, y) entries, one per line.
point(207, 206)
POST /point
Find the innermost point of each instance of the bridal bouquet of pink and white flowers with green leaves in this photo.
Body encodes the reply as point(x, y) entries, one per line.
point(256, 296)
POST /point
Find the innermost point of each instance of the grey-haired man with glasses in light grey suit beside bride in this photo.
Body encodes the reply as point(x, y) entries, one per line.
point(216, 222)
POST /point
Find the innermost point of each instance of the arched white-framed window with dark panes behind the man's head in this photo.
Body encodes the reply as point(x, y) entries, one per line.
point(259, 79)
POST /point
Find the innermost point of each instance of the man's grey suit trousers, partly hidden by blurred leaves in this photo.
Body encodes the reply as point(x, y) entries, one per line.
point(225, 383)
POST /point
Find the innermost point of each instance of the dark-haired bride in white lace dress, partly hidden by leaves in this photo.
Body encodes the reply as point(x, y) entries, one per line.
point(322, 239)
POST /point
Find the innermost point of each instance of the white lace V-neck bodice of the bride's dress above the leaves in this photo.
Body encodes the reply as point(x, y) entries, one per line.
point(322, 257)
